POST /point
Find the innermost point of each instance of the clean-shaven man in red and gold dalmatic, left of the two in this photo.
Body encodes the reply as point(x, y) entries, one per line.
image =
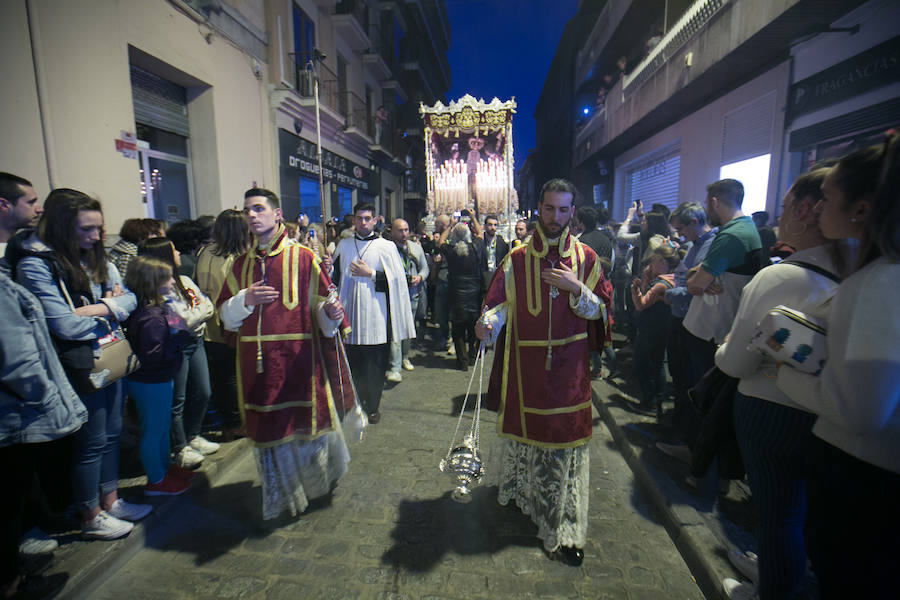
point(292, 379)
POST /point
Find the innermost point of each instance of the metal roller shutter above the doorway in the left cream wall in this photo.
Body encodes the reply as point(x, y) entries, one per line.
point(158, 102)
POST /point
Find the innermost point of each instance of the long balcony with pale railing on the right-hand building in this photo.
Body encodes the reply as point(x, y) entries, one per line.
point(715, 46)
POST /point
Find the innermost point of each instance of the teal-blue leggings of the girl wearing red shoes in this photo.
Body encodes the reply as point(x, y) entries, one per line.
point(154, 405)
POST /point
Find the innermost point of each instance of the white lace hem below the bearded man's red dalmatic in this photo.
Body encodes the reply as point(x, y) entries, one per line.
point(550, 486)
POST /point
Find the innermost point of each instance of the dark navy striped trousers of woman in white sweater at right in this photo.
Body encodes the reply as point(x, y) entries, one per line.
point(773, 439)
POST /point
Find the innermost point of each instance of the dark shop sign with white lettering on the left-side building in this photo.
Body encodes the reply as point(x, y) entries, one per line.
point(298, 154)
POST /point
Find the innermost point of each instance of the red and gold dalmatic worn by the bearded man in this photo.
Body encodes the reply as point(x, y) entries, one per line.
point(540, 382)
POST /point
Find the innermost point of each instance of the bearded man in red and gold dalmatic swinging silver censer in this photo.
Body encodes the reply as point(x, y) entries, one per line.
point(547, 296)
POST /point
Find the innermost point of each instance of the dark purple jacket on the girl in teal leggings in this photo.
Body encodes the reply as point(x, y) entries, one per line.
point(158, 349)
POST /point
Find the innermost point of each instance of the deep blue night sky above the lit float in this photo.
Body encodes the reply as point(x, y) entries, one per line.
point(503, 48)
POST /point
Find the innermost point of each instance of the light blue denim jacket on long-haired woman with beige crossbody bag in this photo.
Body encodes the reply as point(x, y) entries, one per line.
point(34, 273)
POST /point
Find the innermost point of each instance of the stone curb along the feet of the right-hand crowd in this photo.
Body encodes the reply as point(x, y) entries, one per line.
point(687, 539)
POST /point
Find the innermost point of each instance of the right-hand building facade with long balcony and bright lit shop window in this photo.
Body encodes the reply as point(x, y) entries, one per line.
point(669, 97)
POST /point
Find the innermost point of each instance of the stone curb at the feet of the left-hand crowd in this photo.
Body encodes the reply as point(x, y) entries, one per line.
point(89, 565)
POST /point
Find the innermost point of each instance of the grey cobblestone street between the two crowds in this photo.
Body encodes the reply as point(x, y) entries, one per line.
point(392, 531)
